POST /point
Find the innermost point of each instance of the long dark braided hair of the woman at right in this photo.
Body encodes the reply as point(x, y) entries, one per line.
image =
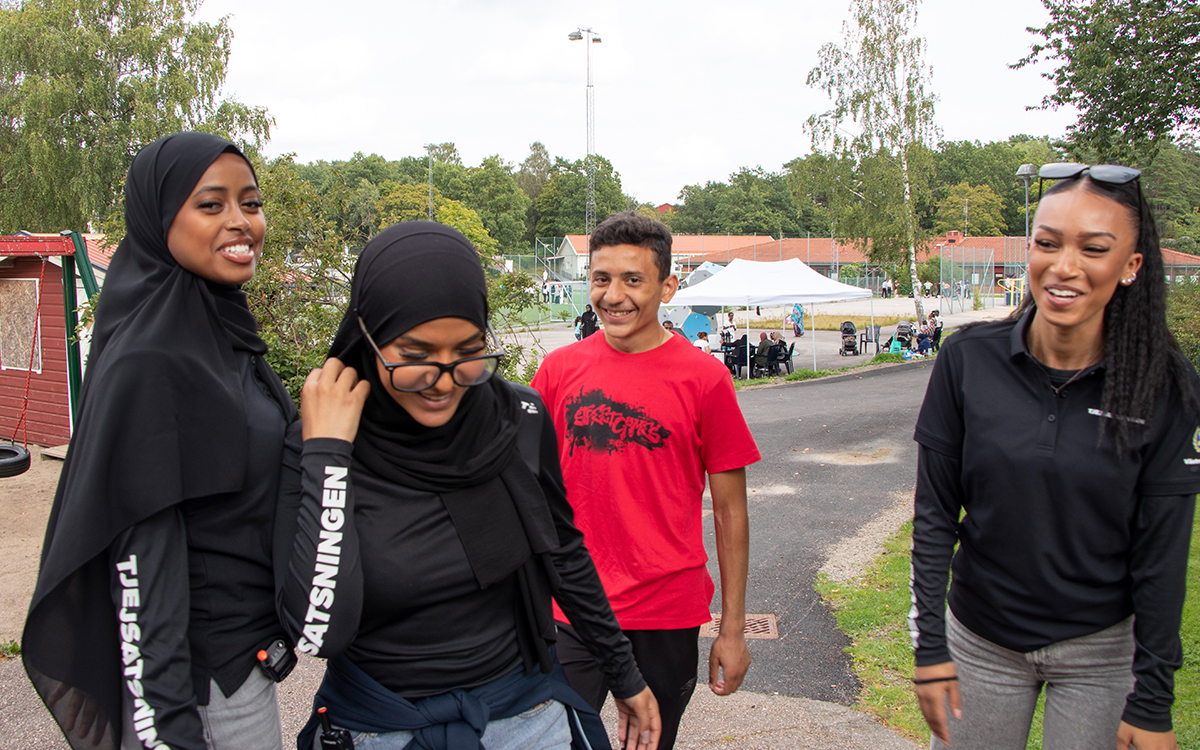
point(1142, 357)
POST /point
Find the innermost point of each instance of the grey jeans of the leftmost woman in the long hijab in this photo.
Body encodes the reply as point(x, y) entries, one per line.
point(250, 718)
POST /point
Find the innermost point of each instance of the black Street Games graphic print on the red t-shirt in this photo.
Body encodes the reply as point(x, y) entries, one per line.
point(596, 422)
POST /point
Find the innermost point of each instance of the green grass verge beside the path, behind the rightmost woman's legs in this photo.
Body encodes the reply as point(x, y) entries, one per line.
point(873, 609)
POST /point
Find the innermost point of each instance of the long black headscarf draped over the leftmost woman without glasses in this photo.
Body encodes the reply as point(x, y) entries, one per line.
point(163, 421)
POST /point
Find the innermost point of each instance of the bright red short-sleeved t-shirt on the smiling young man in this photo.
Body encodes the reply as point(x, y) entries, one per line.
point(638, 434)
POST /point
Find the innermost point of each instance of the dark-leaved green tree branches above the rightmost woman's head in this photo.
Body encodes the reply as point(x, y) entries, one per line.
point(1131, 68)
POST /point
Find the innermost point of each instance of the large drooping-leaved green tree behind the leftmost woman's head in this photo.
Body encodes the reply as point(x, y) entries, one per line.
point(87, 83)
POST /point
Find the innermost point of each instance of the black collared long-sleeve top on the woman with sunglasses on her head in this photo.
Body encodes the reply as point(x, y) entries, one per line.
point(1063, 537)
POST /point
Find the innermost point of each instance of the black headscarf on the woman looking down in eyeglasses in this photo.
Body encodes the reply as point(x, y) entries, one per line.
point(410, 274)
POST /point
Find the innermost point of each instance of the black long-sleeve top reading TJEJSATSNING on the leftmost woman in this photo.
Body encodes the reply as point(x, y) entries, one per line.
point(195, 591)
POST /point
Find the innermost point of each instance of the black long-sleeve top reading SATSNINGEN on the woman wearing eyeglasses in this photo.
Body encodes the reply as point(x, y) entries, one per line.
point(379, 573)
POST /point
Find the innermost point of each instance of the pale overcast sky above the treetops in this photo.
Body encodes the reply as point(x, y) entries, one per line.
point(686, 92)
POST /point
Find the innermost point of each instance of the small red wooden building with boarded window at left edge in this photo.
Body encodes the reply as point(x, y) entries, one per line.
point(40, 369)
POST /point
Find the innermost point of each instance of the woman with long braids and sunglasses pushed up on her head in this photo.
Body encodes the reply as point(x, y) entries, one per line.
point(1069, 435)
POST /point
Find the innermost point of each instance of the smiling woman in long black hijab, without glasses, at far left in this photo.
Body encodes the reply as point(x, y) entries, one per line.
point(155, 591)
